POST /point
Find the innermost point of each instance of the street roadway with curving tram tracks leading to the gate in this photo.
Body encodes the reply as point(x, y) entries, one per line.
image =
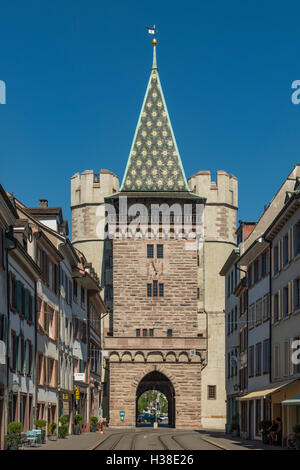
point(158, 439)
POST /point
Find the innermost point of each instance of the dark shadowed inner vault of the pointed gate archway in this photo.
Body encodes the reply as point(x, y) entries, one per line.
point(157, 381)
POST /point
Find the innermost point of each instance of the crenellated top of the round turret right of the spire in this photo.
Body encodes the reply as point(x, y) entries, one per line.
point(223, 190)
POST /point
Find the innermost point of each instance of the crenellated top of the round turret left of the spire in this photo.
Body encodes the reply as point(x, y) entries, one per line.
point(90, 187)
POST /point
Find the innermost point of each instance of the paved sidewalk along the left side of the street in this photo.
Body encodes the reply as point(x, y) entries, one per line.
point(85, 441)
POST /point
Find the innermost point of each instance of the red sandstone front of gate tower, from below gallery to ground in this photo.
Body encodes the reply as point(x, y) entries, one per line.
point(132, 357)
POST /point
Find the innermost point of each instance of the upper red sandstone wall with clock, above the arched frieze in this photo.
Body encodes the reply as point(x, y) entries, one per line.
point(177, 270)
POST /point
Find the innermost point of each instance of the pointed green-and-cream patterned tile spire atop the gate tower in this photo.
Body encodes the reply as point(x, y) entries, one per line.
point(154, 162)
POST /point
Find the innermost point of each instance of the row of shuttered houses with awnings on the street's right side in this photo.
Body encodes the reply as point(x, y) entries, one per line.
point(268, 309)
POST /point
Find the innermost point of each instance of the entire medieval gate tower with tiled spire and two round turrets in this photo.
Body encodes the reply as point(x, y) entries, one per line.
point(166, 296)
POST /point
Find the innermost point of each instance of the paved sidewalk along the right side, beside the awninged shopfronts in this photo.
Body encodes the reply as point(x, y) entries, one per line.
point(227, 442)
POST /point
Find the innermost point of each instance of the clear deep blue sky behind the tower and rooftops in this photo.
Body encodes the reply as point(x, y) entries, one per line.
point(76, 73)
